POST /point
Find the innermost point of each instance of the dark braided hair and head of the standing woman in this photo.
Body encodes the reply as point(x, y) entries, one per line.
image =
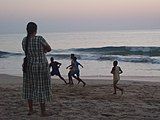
point(31, 28)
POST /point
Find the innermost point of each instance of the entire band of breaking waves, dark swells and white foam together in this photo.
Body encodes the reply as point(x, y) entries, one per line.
point(123, 53)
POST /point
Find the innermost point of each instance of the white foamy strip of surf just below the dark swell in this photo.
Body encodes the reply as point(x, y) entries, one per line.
point(134, 59)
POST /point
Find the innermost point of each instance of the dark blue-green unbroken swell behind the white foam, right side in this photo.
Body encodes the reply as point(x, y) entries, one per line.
point(122, 50)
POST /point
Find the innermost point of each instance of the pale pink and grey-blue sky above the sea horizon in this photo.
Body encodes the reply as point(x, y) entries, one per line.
point(79, 15)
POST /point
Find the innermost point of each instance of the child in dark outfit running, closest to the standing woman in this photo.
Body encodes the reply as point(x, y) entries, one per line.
point(55, 69)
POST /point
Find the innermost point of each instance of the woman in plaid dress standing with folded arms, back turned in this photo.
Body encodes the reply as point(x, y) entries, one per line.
point(36, 77)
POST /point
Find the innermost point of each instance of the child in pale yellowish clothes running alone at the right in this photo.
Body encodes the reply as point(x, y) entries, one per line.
point(116, 71)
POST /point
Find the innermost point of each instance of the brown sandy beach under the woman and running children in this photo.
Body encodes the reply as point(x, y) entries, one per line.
point(95, 101)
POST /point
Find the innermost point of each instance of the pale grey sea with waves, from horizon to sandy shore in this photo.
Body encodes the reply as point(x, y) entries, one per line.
point(138, 51)
